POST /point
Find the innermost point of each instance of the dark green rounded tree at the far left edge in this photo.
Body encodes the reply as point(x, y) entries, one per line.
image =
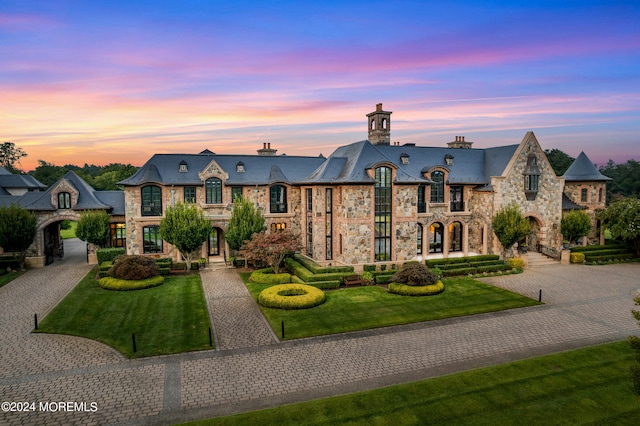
point(18, 228)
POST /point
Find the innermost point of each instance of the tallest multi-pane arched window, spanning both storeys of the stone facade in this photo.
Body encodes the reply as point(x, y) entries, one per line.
point(383, 197)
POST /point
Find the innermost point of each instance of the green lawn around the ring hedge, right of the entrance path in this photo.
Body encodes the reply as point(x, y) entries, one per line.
point(361, 308)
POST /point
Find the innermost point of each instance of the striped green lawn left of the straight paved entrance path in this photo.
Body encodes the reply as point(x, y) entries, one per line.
point(167, 319)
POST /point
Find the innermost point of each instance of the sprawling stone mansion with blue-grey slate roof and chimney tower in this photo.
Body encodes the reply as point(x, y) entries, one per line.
point(369, 201)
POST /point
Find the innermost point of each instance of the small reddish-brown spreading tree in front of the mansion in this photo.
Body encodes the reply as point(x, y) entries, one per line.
point(271, 248)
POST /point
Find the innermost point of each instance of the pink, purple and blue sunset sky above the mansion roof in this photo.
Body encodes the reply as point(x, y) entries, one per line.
point(102, 82)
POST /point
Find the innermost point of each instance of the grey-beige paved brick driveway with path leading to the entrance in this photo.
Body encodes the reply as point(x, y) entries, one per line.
point(584, 306)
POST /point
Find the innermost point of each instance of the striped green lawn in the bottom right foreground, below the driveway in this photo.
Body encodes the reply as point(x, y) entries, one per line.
point(586, 386)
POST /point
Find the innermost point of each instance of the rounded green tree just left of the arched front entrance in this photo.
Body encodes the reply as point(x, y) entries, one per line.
point(185, 226)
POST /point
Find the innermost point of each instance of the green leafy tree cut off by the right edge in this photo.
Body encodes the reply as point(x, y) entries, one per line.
point(622, 218)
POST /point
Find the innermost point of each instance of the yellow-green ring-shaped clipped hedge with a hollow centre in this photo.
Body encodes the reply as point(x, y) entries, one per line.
point(291, 296)
